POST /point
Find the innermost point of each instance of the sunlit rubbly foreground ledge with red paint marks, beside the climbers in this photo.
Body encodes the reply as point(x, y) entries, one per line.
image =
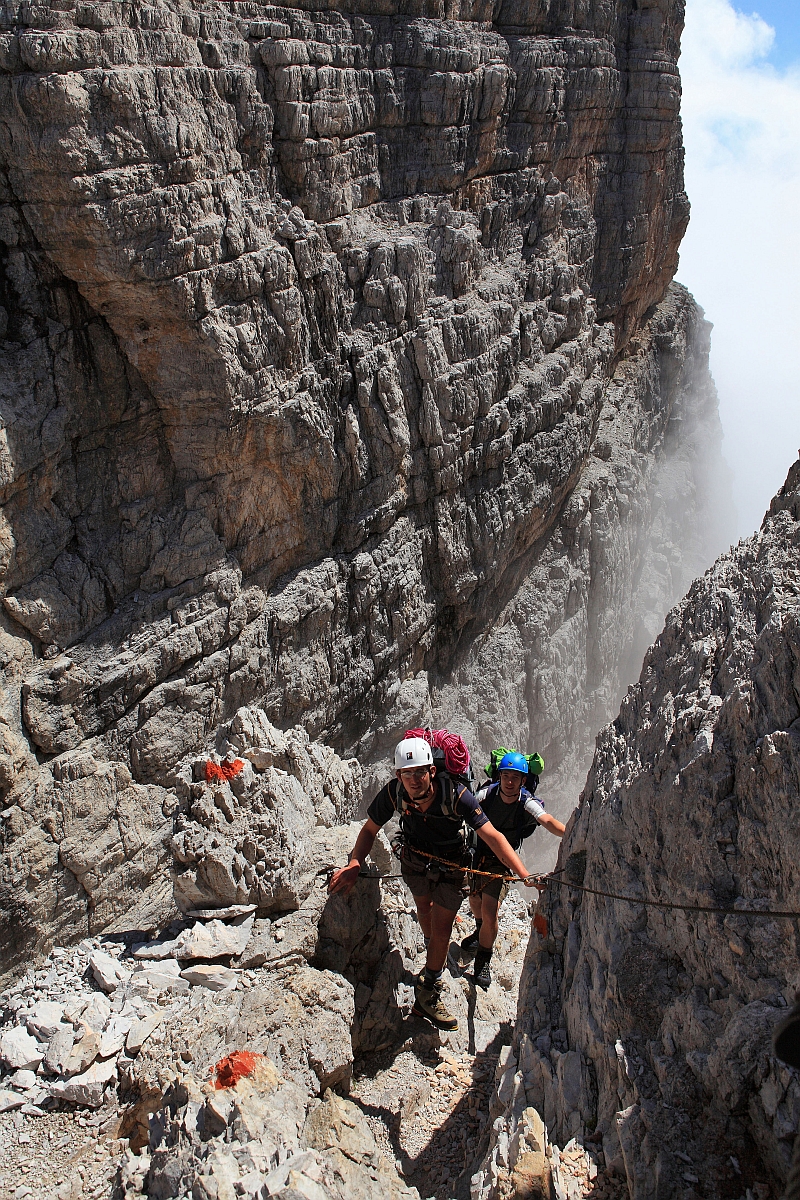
point(260, 962)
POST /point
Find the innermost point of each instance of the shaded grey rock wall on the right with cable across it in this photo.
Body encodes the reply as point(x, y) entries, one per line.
point(653, 1025)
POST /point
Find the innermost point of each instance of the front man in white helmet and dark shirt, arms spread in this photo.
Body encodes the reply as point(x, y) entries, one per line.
point(434, 812)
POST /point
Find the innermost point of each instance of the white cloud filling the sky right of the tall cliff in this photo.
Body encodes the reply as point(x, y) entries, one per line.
point(742, 255)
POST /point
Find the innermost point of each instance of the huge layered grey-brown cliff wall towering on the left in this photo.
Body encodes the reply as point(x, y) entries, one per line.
point(310, 326)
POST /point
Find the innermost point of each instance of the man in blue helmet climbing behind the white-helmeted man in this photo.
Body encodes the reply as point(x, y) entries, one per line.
point(518, 814)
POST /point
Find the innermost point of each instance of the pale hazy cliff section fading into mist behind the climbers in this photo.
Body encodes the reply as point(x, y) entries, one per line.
point(552, 669)
